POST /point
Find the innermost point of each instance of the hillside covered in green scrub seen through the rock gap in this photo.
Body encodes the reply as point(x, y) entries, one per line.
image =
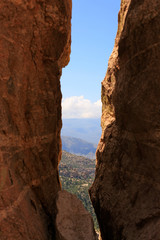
point(77, 175)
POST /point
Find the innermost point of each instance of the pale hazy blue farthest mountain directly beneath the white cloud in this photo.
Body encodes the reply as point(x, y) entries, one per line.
point(86, 129)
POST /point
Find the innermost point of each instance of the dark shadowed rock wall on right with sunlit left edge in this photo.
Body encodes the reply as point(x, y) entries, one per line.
point(126, 191)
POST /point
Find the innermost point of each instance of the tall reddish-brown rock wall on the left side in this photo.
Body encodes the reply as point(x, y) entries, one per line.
point(34, 46)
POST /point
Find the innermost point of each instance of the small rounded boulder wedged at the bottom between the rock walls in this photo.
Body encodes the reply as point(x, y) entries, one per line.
point(73, 222)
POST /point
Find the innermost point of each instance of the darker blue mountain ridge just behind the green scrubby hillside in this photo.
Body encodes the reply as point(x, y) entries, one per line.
point(79, 147)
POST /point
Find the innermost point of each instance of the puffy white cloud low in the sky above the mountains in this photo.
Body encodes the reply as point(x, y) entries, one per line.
point(79, 107)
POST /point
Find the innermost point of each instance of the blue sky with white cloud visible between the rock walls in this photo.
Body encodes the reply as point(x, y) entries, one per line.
point(94, 27)
